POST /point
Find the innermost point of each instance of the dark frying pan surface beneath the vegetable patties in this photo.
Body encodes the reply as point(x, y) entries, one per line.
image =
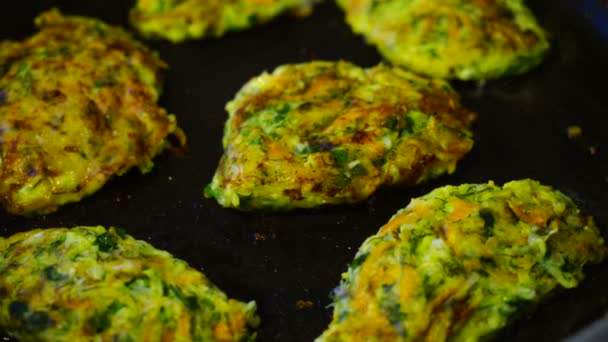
point(290, 262)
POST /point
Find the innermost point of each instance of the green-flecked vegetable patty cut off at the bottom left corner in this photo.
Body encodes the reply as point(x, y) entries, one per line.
point(93, 284)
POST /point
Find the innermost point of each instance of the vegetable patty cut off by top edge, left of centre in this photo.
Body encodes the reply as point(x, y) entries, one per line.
point(178, 20)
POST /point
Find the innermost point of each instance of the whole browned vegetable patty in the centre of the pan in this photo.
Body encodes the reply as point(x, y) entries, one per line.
point(331, 132)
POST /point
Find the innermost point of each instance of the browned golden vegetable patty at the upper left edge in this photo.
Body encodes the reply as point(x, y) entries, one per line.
point(77, 106)
